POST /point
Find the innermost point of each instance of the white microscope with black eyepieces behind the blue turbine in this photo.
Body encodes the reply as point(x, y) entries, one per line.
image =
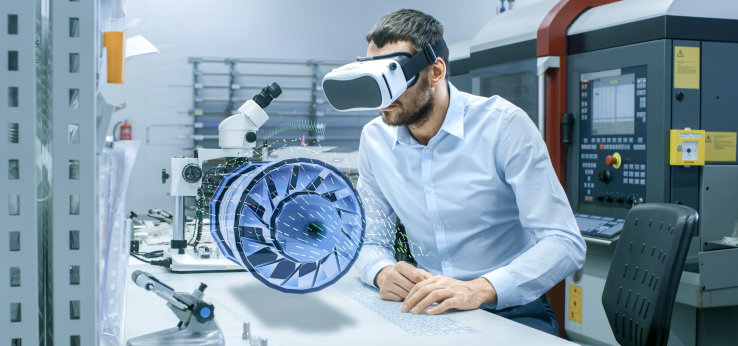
point(236, 139)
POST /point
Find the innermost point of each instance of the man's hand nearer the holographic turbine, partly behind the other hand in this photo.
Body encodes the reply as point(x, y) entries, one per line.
point(396, 281)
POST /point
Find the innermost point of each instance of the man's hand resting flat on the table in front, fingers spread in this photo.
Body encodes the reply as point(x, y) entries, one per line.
point(450, 294)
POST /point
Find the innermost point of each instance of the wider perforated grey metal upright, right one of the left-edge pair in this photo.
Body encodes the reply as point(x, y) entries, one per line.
point(74, 240)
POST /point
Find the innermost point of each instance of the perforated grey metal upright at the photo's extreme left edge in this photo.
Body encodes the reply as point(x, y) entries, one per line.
point(19, 248)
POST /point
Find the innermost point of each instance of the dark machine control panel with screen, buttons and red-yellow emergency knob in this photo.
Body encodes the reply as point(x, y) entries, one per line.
point(612, 137)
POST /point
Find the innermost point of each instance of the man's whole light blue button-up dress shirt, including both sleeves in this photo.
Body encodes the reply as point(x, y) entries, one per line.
point(480, 200)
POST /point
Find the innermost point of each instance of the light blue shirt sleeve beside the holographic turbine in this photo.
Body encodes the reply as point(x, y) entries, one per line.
point(377, 251)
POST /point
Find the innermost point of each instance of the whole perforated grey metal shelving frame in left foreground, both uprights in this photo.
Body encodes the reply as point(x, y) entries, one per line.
point(48, 208)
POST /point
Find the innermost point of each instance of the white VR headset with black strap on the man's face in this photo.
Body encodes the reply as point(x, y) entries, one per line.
point(375, 82)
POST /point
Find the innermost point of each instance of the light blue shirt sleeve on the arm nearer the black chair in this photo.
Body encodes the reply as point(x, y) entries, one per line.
point(522, 160)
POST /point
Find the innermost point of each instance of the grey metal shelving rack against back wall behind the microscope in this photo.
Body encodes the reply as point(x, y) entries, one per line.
point(222, 84)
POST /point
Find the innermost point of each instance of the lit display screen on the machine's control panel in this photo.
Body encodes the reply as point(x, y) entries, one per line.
point(613, 105)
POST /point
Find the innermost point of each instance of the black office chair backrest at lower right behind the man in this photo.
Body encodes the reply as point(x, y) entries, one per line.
point(644, 275)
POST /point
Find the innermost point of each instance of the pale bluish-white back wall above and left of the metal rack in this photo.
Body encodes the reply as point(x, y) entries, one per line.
point(158, 88)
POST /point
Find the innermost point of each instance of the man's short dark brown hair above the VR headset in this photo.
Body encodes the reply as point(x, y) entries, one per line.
point(409, 25)
